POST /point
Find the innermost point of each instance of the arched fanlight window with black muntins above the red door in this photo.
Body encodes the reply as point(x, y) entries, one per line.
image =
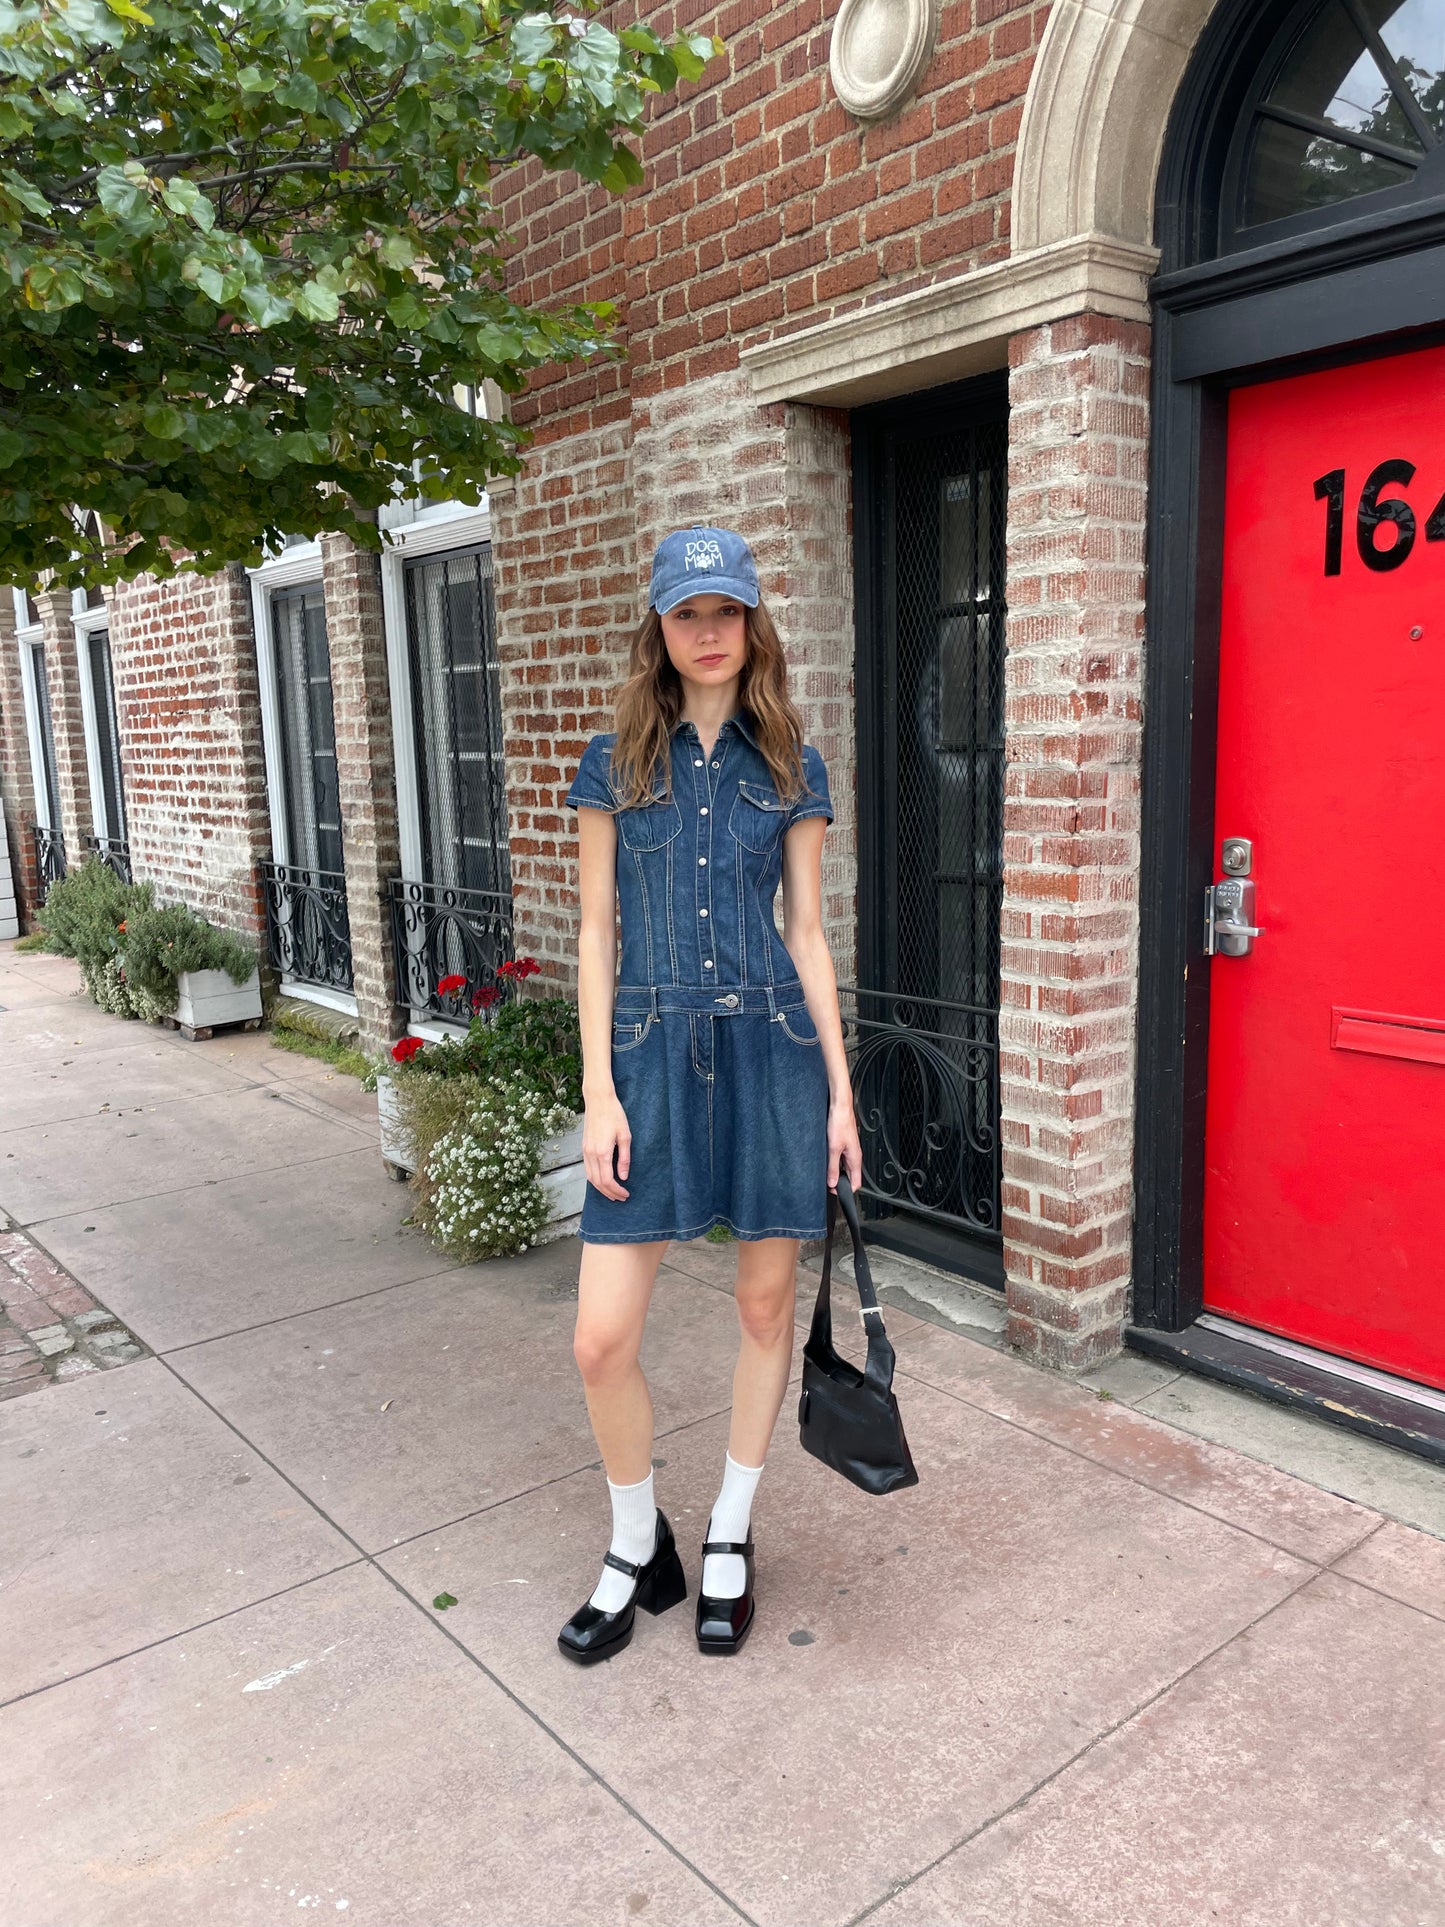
point(1352, 103)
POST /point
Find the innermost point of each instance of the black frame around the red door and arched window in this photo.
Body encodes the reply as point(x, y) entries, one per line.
point(1369, 284)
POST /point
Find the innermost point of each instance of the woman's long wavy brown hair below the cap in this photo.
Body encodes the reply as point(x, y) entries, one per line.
point(650, 704)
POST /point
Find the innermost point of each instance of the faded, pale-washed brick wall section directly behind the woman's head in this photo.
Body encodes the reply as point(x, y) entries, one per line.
point(573, 544)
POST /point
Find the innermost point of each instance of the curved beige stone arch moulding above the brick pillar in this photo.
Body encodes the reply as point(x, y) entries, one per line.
point(1095, 117)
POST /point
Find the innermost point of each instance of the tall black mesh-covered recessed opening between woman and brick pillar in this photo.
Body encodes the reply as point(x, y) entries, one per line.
point(924, 1022)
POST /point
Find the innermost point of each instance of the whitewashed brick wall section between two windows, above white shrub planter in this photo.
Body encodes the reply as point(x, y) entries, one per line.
point(190, 739)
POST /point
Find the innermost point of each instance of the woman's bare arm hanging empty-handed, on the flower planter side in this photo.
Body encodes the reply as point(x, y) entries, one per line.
point(604, 1124)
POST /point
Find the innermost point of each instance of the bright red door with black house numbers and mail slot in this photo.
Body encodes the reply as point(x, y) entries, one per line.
point(1325, 1198)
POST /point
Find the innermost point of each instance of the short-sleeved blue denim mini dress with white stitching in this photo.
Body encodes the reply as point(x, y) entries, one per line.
point(716, 1059)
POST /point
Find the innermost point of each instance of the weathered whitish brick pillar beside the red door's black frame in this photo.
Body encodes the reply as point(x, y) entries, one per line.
point(1070, 964)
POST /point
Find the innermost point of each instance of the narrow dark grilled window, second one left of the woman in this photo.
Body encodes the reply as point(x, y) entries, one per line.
point(303, 685)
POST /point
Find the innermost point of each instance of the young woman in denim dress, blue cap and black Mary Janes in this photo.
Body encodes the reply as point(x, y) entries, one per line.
point(714, 1072)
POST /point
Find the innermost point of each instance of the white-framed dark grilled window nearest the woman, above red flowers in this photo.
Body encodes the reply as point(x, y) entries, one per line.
point(456, 677)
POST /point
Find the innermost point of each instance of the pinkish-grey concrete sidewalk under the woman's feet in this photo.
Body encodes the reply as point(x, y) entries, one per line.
point(1090, 1672)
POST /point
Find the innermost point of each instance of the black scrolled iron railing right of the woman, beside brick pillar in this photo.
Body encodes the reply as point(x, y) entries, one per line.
point(926, 1092)
